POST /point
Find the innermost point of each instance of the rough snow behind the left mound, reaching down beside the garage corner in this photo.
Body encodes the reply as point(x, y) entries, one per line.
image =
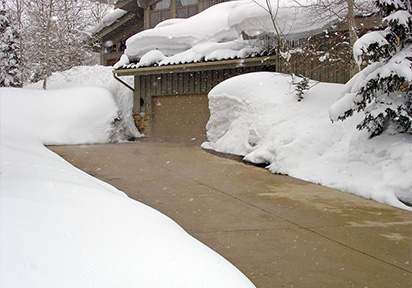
point(99, 76)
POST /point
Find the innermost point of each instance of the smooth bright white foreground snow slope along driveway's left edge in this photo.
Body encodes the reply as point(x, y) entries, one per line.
point(62, 228)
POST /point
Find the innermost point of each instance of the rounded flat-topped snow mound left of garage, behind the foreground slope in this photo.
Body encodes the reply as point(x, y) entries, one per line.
point(66, 116)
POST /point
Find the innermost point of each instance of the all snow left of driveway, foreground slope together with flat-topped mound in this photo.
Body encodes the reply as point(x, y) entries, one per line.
point(61, 227)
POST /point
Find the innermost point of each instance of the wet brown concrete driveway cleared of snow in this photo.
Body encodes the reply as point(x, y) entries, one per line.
point(279, 231)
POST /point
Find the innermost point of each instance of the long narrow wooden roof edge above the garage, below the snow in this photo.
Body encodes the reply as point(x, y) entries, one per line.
point(200, 66)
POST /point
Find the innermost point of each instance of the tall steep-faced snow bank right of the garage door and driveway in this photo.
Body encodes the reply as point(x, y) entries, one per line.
point(257, 116)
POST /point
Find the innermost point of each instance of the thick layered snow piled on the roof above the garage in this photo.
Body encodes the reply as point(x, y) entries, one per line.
point(216, 33)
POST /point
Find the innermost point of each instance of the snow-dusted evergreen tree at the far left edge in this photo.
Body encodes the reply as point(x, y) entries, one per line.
point(9, 59)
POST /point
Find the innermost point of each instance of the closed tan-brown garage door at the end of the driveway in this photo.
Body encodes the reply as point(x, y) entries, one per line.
point(180, 118)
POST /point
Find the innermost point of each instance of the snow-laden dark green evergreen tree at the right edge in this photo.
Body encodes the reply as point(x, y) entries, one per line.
point(384, 88)
